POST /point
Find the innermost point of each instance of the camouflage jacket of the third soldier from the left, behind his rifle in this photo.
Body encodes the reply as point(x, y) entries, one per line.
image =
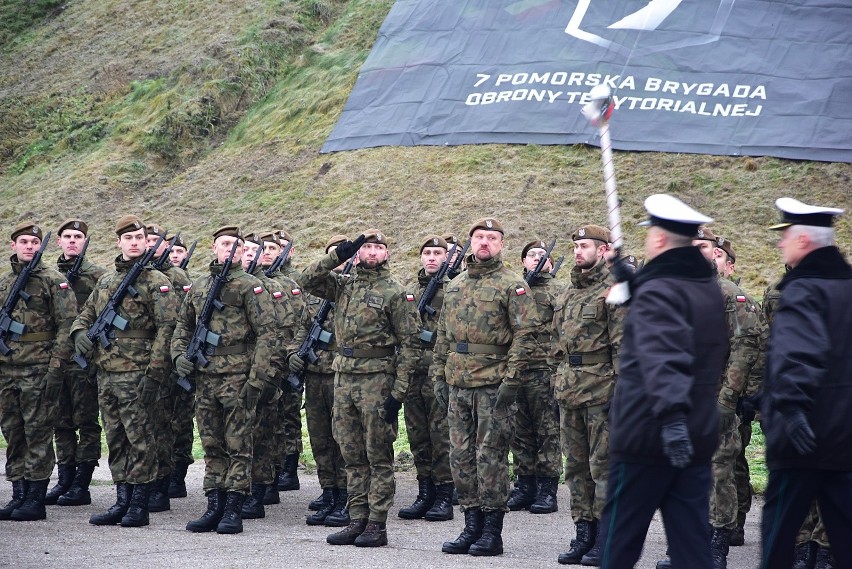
point(144, 345)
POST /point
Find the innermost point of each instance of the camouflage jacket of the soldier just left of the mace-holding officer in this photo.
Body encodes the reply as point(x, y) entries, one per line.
point(586, 327)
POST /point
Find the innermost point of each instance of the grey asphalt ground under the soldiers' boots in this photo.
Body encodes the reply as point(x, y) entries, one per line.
point(283, 540)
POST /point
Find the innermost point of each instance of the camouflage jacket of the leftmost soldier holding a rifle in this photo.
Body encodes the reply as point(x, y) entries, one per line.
point(47, 317)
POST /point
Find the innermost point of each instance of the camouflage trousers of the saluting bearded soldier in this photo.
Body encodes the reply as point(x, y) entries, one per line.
point(366, 442)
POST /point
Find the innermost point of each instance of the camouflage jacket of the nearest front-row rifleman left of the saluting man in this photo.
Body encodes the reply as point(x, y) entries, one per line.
point(247, 326)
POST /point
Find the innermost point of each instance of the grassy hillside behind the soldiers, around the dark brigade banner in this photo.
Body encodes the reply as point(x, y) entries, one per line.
point(193, 114)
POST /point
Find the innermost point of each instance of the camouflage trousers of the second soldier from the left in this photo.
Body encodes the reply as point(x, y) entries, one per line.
point(78, 412)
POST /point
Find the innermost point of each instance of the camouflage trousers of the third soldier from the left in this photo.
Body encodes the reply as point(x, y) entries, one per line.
point(127, 424)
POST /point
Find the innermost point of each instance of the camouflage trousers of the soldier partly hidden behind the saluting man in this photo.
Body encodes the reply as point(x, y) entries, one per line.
point(319, 409)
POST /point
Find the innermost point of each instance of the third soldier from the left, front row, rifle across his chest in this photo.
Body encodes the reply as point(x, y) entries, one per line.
point(131, 373)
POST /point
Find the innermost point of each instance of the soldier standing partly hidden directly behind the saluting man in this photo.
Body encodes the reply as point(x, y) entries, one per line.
point(330, 507)
